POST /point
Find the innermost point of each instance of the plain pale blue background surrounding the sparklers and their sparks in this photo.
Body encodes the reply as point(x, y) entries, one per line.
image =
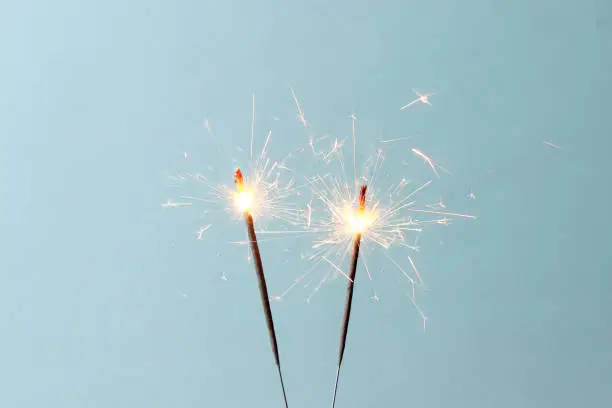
point(99, 100)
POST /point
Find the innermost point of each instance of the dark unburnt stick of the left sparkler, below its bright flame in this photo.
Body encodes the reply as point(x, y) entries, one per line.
point(265, 299)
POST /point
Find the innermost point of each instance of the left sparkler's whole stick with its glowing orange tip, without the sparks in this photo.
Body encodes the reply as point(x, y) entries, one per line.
point(244, 199)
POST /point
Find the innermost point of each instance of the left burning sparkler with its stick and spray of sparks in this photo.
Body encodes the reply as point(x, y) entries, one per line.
point(262, 196)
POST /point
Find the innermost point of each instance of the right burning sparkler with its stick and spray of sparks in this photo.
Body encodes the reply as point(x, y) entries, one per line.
point(391, 215)
